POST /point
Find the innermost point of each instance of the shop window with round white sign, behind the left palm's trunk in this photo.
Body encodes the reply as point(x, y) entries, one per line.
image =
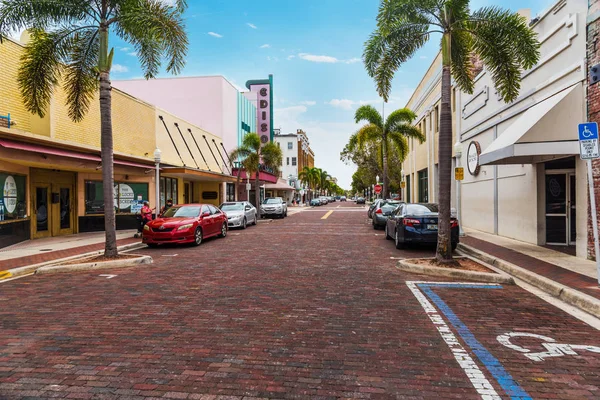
point(128, 197)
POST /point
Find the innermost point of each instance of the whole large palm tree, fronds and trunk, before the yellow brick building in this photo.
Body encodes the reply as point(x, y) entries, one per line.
point(69, 40)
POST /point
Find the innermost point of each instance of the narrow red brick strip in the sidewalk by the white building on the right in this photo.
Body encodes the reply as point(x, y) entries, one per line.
point(580, 282)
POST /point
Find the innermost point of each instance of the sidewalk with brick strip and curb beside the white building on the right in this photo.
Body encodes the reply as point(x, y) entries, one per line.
point(549, 270)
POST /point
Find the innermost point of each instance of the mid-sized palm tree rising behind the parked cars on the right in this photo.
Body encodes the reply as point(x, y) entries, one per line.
point(391, 134)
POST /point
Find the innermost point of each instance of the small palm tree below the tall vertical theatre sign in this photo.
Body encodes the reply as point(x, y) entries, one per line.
point(251, 154)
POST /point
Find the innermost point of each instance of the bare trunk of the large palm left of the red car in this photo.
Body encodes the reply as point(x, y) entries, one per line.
point(106, 144)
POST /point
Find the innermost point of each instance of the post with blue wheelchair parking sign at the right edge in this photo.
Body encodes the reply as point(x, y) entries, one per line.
point(588, 150)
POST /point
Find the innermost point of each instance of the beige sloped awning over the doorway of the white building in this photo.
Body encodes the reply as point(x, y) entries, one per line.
point(544, 132)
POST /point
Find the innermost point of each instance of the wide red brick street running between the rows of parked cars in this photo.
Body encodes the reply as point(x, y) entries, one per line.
point(321, 312)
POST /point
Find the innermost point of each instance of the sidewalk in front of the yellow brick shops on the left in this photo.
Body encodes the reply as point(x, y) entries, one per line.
point(33, 252)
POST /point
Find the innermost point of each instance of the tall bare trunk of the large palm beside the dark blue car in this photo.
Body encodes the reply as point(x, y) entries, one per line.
point(444, 248)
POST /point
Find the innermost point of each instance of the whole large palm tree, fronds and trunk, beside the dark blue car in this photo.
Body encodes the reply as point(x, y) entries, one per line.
point(501, 39)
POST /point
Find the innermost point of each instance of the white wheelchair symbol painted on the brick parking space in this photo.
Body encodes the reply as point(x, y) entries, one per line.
point(553, 349)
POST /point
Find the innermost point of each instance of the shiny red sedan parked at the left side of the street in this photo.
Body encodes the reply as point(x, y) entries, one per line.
point(186, 223)
